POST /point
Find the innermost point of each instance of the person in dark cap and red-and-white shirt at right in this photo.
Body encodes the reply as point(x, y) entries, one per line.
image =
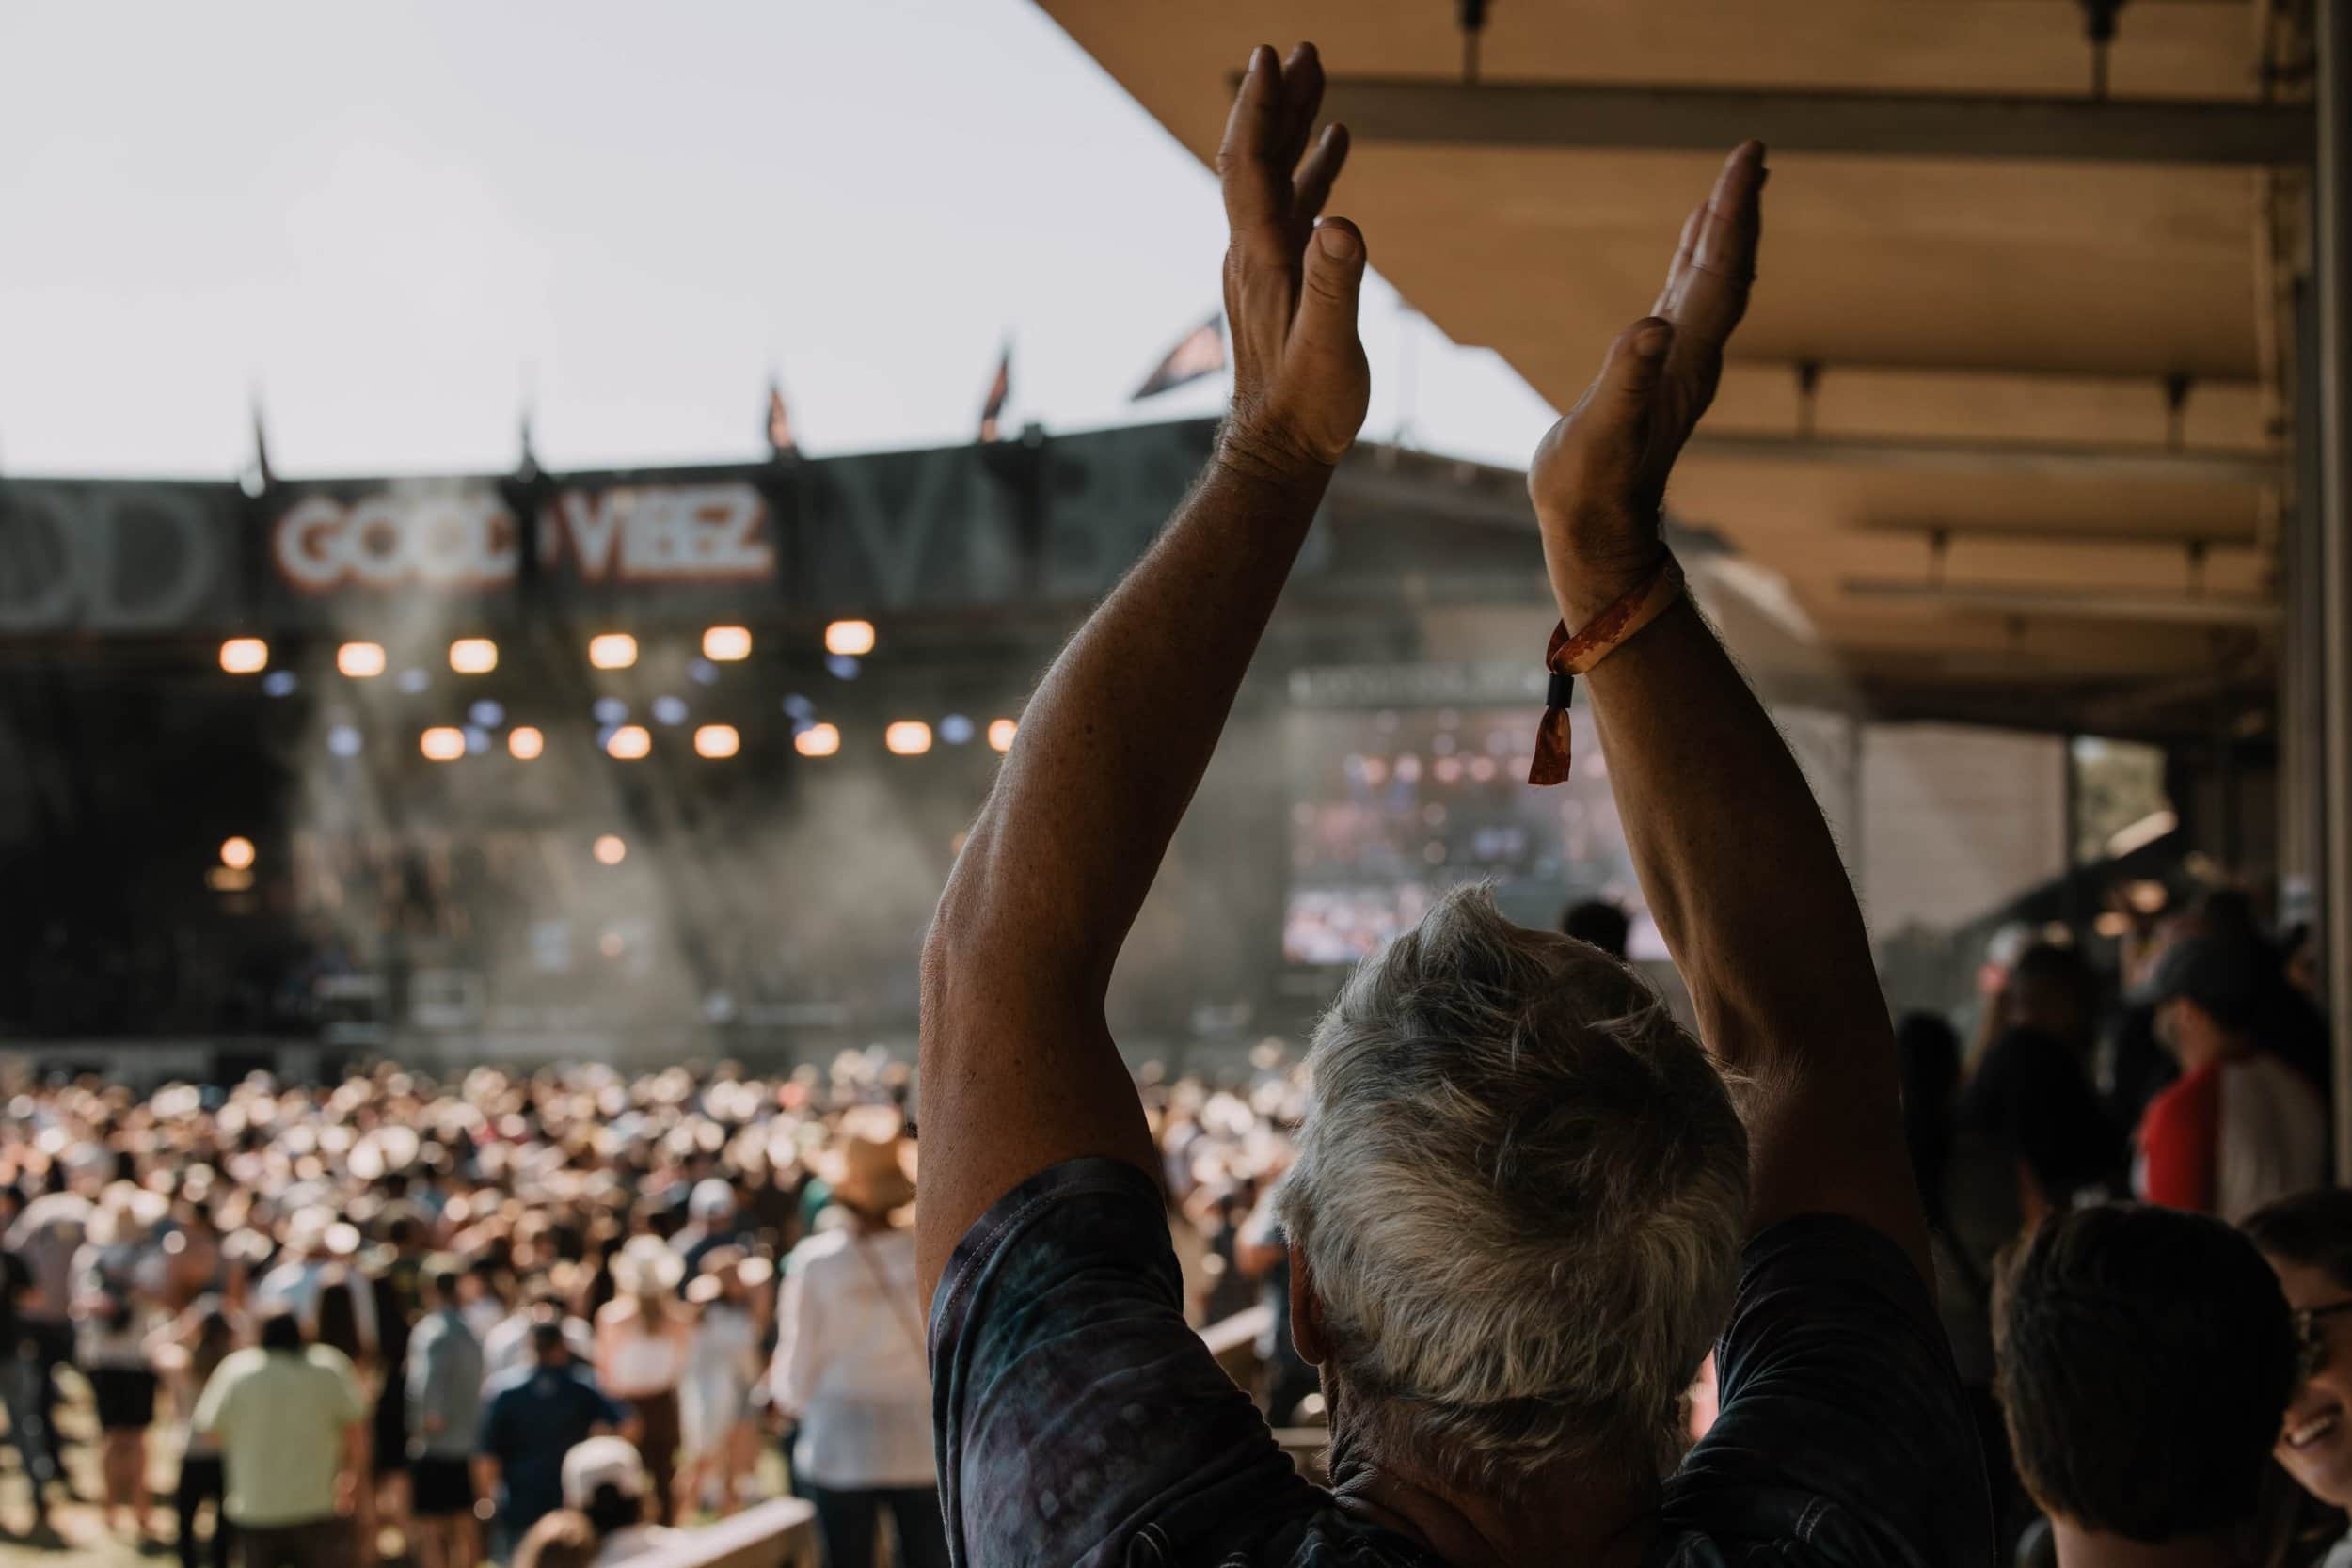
point(2240, 1130)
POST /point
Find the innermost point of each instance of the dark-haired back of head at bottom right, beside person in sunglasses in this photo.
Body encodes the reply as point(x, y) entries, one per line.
point(2146, 1360)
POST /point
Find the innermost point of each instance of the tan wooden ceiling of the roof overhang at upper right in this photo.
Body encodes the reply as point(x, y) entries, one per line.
point(1989, 488)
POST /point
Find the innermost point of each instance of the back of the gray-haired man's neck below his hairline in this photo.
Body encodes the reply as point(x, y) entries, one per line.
point(1568, 1517)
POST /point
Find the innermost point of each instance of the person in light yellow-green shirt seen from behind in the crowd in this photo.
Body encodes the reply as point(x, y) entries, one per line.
point(293, 1430)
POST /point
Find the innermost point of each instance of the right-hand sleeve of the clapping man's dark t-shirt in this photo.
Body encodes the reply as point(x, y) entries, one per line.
point(1843, 1421)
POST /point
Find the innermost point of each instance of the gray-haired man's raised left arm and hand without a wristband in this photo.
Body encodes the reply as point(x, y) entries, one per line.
point(1017, 1061)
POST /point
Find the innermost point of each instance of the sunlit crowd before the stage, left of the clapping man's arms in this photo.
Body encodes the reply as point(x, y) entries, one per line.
point(399, 1311)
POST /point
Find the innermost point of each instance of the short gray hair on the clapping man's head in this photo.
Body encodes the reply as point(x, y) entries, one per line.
point(1521, 1193)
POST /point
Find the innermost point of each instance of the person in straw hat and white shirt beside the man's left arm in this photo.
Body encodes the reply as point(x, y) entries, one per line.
point(850, 1358)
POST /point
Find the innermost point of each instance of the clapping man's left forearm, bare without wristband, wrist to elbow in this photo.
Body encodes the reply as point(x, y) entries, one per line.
point(1118, 735)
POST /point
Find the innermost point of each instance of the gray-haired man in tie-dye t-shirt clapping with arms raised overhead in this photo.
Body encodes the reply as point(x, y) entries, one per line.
point(1525, 1202)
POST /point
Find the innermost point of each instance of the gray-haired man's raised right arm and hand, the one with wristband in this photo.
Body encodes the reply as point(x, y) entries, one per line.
point(1735, 855)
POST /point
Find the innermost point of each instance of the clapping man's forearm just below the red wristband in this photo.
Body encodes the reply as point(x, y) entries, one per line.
point(1735, 857)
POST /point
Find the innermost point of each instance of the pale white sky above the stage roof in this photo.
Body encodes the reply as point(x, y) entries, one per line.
point(394, 220)
